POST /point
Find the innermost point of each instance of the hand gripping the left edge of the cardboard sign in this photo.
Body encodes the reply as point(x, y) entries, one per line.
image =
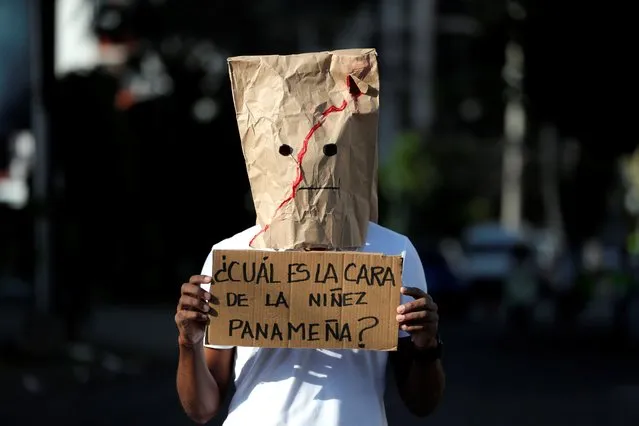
point(193, 311)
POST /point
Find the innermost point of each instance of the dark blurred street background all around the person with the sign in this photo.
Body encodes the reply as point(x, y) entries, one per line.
point(506, 154)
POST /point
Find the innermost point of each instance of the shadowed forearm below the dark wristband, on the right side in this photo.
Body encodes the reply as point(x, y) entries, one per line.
point(423, 387)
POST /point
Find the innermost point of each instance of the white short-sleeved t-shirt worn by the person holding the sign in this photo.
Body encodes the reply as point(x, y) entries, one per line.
point(306, 387)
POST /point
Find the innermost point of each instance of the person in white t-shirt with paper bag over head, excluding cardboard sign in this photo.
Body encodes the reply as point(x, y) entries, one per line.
point(306, 387)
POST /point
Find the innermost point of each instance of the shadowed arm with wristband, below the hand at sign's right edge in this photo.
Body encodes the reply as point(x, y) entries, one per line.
point(420, 383)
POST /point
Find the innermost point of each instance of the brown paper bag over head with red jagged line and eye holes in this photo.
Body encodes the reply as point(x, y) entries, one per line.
point(308, 126)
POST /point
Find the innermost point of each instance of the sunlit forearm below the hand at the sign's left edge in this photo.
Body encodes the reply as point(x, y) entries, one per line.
point(198, 391)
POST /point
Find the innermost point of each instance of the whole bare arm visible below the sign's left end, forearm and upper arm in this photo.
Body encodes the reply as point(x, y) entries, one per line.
point(203, 378)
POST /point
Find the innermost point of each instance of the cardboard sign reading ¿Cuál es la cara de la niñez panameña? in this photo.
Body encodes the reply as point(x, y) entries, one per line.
point(332, 300)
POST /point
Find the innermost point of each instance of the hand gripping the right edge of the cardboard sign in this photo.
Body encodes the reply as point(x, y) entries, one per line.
point(419, 317)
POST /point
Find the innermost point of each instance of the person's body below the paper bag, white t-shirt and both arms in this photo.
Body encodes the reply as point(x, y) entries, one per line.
point(280, 386)
